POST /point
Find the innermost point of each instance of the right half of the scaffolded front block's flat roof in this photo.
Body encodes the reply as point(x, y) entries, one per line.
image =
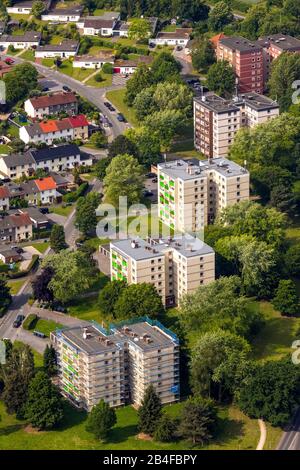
point(144, 336)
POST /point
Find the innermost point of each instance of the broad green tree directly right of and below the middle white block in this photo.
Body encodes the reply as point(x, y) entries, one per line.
point(219, 305)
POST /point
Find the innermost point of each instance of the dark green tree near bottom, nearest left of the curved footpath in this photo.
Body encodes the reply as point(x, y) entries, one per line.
point(198, 420)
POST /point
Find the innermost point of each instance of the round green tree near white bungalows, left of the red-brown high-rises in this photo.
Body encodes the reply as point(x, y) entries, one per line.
point(165, 67)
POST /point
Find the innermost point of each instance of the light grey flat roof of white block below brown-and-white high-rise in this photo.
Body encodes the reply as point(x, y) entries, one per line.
point(191, 169)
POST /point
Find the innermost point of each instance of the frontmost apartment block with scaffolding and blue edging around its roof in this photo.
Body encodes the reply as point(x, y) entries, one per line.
point(118, 364)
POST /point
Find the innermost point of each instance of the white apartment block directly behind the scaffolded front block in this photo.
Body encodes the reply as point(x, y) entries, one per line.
point(175, 266)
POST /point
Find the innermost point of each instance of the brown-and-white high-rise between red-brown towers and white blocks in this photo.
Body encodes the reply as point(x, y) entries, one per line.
point(216, 120)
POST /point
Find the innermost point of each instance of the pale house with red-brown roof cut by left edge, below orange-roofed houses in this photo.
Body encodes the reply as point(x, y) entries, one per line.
point(15, 227)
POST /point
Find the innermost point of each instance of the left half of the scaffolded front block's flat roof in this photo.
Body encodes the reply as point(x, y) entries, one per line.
point(95, 343)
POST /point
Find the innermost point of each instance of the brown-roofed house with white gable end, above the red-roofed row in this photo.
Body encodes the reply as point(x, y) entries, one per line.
point(40, 106)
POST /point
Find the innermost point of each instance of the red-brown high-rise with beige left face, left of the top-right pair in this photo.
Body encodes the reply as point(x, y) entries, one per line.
point(246, 58)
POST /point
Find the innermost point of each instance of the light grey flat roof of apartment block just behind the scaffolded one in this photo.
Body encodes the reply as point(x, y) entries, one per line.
point(140, 249)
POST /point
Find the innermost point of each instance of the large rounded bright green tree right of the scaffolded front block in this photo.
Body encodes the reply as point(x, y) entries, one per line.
point(218, 358)
